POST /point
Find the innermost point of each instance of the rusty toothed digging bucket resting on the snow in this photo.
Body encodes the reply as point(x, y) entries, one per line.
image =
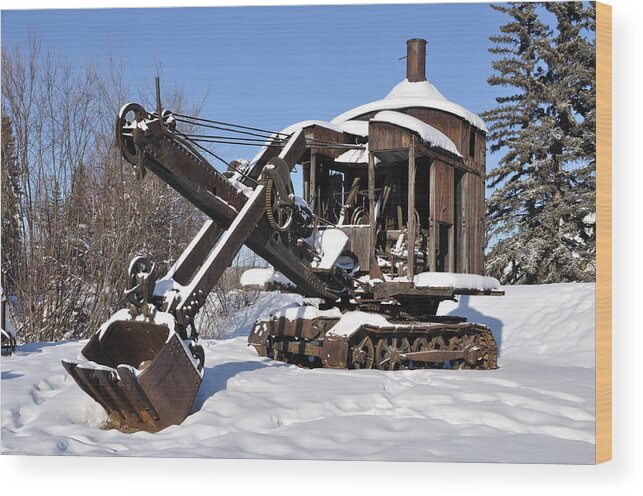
point(140, 371)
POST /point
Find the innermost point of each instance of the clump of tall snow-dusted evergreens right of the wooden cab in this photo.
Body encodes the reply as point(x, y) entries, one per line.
point(540, 215)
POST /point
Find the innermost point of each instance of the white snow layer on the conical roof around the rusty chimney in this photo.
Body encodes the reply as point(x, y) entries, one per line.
point(406, 95)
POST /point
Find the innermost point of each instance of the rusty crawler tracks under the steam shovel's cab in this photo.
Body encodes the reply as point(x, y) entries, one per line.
point(312, 343)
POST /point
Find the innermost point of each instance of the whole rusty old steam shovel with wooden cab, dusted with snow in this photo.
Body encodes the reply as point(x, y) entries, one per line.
point(367, 245)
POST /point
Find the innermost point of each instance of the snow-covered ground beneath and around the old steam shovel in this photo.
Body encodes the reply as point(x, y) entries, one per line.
point(538, 407)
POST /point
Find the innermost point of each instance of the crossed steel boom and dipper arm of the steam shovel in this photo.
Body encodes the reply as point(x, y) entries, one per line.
point(149, 145)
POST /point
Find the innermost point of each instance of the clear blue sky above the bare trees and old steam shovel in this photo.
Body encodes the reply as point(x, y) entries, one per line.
point(271, 66)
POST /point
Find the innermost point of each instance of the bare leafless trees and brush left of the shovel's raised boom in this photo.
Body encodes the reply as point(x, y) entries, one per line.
point(76, 215)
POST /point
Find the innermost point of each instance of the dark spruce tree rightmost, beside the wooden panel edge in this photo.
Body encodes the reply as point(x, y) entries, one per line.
point(569, 135)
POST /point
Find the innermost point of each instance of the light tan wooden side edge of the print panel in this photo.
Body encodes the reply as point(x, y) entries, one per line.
point(604, 232)
